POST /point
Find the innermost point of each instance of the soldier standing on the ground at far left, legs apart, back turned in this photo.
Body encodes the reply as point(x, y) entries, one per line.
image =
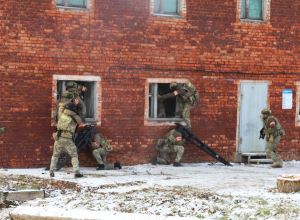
point(66, 127)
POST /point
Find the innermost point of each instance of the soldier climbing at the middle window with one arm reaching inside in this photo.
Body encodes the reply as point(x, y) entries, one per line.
point(187, 97)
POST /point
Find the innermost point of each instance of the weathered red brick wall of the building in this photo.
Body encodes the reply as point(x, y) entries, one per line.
point(37, 41)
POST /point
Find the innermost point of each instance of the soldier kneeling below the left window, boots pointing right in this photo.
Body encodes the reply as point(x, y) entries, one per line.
point(100, 149)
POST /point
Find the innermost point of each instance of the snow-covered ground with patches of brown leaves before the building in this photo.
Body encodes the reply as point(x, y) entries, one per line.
point(202, 190)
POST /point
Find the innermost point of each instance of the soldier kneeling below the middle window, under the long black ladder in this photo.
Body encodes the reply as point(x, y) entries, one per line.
point(171, 143)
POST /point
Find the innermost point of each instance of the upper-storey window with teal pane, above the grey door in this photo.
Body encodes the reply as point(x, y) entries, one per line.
point(252, 9)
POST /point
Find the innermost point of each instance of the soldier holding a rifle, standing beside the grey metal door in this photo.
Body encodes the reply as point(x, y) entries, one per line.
point(273, 131)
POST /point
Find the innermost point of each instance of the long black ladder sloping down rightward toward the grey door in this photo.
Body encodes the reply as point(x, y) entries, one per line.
point(198, 143)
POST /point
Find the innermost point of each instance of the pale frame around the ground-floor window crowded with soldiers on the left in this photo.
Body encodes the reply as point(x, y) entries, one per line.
point(96, 99)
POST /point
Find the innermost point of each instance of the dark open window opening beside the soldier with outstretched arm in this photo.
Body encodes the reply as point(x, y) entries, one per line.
point(162, 110)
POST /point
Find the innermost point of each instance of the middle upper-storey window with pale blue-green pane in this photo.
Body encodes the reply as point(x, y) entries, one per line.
point(170, 7)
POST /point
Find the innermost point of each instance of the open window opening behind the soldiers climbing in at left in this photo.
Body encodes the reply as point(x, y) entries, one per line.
point(89, 97)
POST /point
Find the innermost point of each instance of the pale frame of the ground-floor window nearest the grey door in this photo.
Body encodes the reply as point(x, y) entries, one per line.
point(148, 121)
